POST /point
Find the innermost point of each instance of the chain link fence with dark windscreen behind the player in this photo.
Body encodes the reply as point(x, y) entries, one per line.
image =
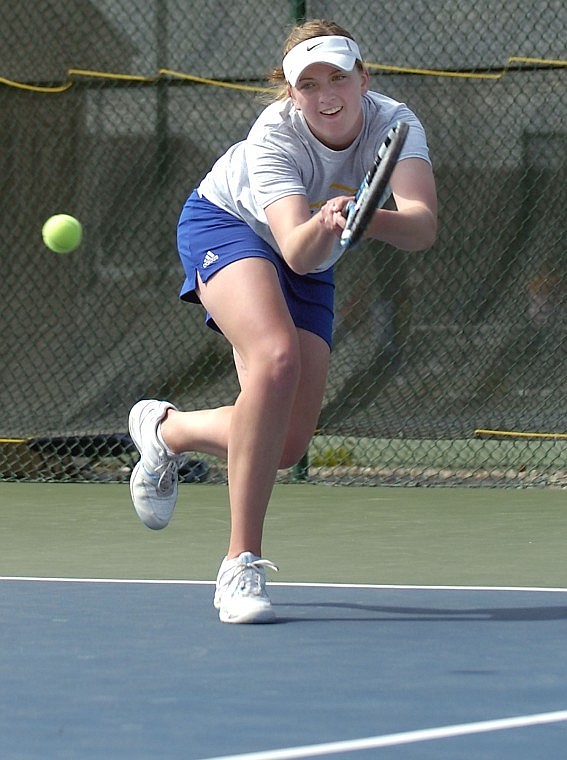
point(449, 366)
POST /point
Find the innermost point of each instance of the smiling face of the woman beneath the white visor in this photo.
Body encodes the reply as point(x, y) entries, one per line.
point(331, 102)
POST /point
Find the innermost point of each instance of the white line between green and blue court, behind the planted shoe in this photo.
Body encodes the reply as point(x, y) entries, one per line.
point(170, 582)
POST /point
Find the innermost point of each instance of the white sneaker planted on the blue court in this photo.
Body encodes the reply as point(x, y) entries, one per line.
point(240, 595)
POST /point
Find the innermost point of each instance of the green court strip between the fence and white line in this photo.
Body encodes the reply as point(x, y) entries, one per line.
point(314, 533)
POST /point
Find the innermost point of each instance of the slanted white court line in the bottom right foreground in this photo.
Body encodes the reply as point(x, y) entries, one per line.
point(407, 737)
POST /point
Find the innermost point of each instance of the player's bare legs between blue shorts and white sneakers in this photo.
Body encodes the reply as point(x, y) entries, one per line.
point(270, 421)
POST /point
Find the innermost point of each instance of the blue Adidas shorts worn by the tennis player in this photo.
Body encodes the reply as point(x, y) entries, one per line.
point(209, 238)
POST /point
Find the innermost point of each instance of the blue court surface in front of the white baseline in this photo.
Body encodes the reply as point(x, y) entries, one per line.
point(94, 669)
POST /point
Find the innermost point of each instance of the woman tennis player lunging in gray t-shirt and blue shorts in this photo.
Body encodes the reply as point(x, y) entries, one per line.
point(258, 240)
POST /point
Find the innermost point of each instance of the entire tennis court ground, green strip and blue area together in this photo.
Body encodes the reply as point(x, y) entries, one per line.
point(412, 623)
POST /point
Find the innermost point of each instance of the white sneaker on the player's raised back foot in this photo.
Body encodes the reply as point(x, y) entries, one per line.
point(153, 483)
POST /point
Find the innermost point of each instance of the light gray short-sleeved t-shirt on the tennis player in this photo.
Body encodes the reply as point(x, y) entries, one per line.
point(281, 157)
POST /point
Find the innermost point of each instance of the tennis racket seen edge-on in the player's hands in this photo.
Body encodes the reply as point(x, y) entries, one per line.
point(369, 196)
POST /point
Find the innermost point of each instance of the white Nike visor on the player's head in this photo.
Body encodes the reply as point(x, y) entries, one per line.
point(341, 52)
